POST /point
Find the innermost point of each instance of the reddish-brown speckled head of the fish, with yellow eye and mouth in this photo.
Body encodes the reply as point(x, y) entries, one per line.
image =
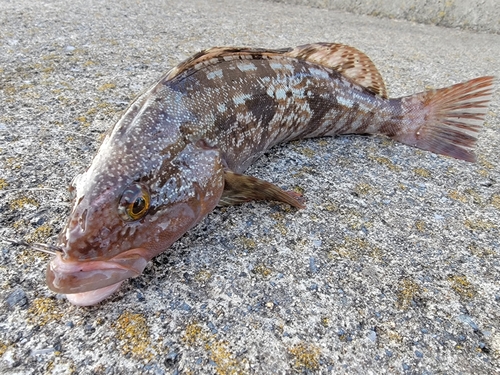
point(126, 211)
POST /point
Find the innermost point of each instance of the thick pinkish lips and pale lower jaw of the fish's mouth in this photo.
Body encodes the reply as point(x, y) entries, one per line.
point(88, 282)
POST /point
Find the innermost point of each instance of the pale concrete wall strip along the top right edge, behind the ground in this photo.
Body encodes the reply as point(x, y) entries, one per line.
point(478, 15)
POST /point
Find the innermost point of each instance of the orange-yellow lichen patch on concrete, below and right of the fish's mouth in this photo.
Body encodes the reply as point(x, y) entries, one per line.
point(133, 332)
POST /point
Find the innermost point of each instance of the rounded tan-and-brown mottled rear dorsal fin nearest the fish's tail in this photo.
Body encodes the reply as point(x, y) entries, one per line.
point(348, 61)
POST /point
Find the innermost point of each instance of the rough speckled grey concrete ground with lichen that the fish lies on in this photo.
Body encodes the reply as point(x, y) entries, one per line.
point(393, 267)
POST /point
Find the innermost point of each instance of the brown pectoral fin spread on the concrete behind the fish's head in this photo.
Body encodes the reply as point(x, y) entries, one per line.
point(241, 188)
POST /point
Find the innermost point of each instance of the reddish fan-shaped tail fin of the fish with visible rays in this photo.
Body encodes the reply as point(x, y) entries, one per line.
point(452, 118)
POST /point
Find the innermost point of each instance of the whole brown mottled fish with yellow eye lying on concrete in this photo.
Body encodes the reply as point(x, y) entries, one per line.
point(182, 146)
